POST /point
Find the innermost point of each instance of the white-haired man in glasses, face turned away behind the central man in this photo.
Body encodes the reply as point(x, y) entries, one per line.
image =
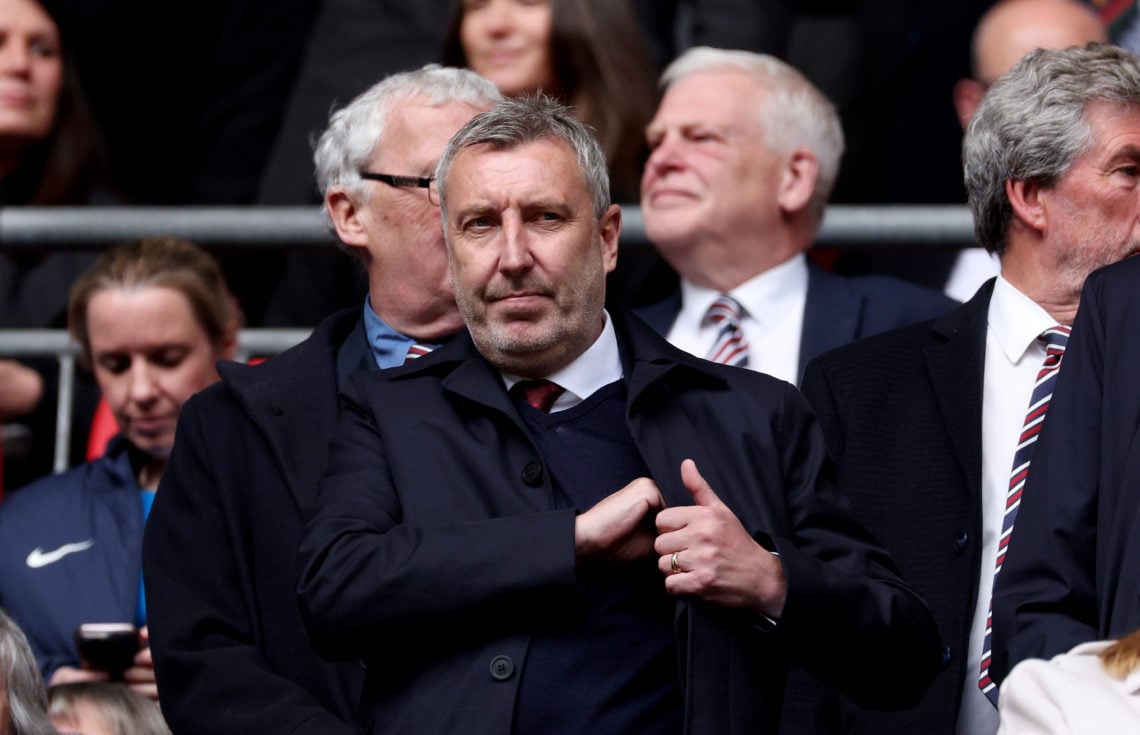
point(227, 638)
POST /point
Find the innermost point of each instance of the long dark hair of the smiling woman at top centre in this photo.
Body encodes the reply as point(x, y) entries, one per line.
point(604, 71)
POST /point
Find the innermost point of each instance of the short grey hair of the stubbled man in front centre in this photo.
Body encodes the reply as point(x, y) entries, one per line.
point(528, 119)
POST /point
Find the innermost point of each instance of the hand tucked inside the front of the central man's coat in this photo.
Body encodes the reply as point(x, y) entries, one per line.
point(621, 527)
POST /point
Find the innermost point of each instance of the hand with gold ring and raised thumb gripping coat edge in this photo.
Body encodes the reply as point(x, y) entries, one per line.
point(706, 552)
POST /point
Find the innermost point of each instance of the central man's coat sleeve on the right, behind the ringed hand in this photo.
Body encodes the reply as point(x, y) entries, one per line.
point(850, 619)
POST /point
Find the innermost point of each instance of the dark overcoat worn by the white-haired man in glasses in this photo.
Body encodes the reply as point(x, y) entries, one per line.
point(231, 652)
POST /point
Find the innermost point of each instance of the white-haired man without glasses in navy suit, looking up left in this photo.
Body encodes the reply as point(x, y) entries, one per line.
point(746, 152)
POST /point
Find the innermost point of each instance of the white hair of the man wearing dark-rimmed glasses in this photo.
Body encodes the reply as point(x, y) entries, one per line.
point(356, 130)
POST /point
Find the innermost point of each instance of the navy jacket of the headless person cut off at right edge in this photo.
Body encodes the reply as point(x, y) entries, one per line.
point(1073, 569)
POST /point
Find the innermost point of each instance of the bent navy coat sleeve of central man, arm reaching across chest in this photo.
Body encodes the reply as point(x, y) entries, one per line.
point(367, 575)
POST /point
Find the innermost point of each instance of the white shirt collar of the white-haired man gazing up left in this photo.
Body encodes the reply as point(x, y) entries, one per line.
point(764, 298)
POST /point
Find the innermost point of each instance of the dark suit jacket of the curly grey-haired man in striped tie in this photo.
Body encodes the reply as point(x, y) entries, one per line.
point(902, 415)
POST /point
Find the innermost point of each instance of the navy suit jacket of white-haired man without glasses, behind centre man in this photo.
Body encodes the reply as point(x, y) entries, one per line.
point(838, 309)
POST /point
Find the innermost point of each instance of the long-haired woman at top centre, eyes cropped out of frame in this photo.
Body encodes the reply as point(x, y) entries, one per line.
point(591, 54)
